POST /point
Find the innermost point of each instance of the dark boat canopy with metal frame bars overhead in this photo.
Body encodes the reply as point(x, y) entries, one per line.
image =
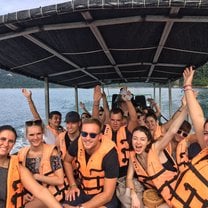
point(83, 43)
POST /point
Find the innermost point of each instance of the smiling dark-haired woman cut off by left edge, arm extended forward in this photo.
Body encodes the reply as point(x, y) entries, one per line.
point(14, 176)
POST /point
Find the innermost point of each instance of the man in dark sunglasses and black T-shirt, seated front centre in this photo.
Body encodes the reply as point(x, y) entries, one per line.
point(97, 166)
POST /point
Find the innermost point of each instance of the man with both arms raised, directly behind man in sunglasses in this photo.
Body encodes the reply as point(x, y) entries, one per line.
point(115, 130)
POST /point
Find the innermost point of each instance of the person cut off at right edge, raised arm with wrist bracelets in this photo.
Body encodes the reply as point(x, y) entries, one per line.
point(191, 190)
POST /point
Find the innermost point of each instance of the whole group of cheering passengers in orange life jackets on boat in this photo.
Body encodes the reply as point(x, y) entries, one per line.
point(112, 158)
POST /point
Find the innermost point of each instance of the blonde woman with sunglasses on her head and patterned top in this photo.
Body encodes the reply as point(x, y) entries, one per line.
point(43, 162)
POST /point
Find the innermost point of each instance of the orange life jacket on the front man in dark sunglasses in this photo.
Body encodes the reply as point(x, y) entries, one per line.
point(91, 173)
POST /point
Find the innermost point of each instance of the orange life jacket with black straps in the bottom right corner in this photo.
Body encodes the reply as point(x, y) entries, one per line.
point(192, 185)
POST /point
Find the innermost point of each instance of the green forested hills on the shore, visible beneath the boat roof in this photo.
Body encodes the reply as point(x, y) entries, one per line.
point(11, 80)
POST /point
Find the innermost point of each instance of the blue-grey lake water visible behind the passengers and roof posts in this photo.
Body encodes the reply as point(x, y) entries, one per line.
point(15, 110)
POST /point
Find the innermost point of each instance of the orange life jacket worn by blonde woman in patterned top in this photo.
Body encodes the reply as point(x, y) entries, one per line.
point(45, 169)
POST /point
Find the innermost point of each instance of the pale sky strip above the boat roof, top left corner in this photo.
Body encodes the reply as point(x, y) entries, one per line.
point(7, 6)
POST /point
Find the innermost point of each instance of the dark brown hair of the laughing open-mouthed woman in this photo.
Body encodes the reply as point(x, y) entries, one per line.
point(147, 132)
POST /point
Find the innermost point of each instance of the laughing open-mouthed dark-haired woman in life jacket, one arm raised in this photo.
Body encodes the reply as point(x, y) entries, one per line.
point(152, 163)
